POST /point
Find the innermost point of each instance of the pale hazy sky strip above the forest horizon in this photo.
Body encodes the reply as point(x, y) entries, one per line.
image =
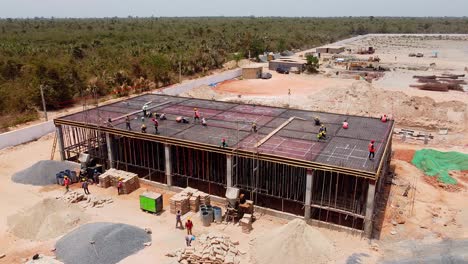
point(142, 8)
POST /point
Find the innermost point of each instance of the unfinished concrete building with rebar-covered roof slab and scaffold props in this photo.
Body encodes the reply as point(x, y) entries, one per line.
point(282, 166)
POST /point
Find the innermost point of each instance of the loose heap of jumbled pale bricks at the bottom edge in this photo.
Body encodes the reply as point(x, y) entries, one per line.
point(209, 248)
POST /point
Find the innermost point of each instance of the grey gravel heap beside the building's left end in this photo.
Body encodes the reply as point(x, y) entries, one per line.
point(43, 172)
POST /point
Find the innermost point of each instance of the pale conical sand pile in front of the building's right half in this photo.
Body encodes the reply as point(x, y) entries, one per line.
point(295, 242)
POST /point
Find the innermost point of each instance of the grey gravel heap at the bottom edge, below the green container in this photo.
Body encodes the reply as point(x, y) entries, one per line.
point(112, 243)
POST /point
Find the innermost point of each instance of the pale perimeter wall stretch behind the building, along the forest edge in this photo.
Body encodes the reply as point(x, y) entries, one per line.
point(186, 86)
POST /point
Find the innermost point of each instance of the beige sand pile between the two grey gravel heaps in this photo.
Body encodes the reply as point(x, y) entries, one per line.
point(47, 219)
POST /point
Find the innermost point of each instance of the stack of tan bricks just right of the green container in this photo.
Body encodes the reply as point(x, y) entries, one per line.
point(188, 199)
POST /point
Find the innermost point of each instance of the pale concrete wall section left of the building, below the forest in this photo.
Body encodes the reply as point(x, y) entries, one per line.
point(26, 134)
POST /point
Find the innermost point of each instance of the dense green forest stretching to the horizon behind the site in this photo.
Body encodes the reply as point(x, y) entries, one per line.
point(73, 58)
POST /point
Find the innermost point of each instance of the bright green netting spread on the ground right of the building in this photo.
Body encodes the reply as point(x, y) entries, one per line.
point(437, 163)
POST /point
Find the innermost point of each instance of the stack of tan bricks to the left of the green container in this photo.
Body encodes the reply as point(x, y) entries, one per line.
point(130, 181)
